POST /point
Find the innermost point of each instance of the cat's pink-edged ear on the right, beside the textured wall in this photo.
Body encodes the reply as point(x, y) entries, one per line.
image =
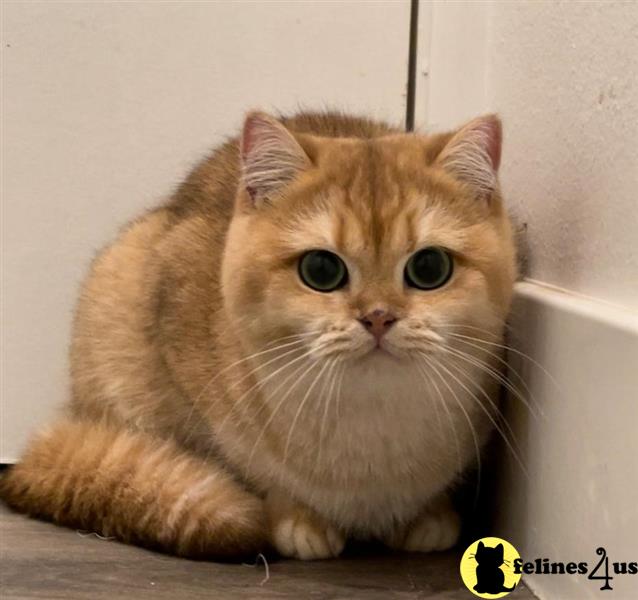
point(473, 155)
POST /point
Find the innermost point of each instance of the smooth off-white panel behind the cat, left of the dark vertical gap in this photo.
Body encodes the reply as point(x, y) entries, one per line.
point(105, 107)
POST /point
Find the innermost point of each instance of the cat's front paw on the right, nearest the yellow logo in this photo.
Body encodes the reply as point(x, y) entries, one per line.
point(437, 528)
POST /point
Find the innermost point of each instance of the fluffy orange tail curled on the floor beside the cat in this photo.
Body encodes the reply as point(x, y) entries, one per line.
point(136, 488)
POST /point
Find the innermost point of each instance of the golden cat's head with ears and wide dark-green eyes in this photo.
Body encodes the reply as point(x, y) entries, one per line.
point(367, 249)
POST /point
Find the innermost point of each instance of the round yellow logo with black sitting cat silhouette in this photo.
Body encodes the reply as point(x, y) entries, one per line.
point(487, 568)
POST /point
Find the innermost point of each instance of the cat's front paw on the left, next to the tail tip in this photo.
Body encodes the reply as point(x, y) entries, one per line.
point(297, 536)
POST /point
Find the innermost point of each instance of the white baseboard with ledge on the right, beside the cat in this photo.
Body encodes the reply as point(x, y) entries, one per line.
point(581, 453)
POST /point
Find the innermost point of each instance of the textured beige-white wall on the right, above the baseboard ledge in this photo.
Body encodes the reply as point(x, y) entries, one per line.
point(564, 76)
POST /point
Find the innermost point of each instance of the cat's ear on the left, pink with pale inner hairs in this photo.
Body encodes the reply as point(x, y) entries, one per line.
point(270, 157)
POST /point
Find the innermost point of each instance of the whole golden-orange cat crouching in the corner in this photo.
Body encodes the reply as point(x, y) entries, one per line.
point(271, 411)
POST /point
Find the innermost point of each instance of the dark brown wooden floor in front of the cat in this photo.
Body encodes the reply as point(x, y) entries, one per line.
point(40, 560)
